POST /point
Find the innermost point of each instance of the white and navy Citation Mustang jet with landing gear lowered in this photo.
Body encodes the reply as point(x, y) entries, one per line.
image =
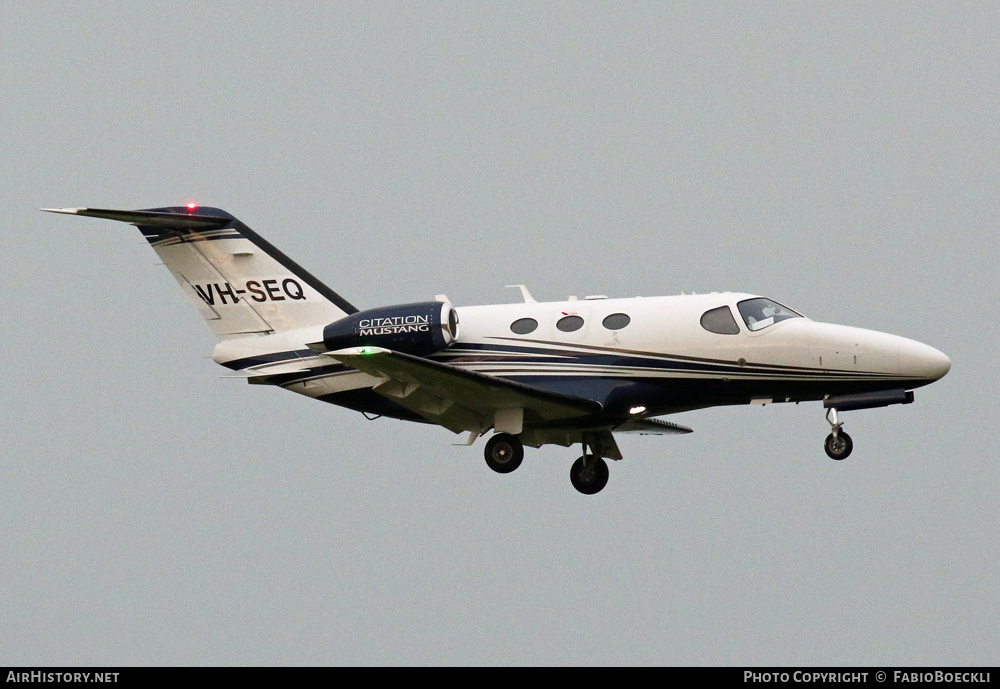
point(563, 373)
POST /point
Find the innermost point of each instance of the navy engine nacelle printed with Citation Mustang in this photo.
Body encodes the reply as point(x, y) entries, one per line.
point(420, 328)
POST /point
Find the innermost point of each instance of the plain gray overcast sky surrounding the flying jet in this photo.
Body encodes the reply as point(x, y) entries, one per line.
point(839, 157)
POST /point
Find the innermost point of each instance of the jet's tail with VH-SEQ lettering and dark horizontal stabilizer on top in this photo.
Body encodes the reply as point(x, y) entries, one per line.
point(236, 279)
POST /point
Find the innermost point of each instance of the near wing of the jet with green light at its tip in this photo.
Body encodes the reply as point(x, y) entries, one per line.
point(461, 400)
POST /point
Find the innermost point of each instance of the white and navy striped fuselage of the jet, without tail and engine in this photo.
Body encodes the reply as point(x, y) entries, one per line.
point(663, 359)
